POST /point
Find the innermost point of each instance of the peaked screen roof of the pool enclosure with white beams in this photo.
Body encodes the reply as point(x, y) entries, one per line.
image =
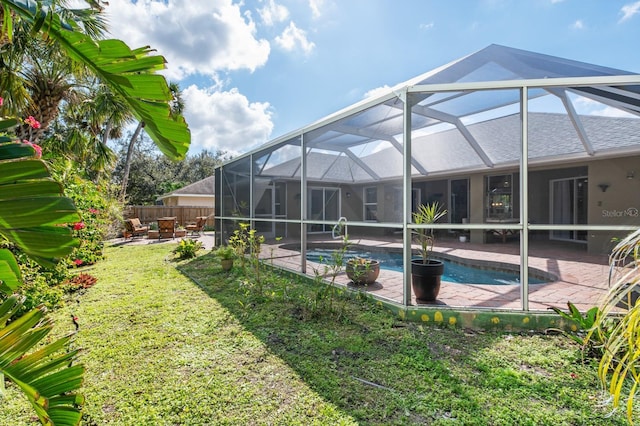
point(466, 116)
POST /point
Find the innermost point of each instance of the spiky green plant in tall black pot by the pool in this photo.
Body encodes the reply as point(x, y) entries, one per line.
point(426, 272)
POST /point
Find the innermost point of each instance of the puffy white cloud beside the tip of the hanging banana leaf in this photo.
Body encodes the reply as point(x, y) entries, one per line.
point(226, 120)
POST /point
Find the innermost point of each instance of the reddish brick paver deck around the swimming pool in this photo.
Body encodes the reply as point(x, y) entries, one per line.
point(581, 278)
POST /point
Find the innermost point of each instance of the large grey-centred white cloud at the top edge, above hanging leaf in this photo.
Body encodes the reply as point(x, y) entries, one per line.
point(196, 37)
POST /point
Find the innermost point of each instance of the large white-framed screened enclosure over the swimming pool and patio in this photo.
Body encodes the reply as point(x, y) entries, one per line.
point(535, 158)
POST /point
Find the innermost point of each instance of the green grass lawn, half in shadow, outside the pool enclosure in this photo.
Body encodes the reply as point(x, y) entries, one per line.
point(163, 349)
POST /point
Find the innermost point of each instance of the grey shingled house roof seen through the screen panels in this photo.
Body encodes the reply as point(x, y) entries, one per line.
point(551, 136)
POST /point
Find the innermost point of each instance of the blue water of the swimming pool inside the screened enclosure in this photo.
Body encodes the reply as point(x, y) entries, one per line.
point(453, 272)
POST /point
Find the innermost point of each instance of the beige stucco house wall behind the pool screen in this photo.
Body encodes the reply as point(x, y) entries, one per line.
point(618, 205)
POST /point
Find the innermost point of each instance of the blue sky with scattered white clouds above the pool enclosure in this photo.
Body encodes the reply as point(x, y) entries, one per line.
point(254, 70)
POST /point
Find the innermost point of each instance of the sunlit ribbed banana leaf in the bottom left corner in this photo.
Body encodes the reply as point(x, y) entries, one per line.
point(46, 376)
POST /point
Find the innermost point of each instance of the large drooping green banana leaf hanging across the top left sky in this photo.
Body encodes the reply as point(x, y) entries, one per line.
point(129, 72)
